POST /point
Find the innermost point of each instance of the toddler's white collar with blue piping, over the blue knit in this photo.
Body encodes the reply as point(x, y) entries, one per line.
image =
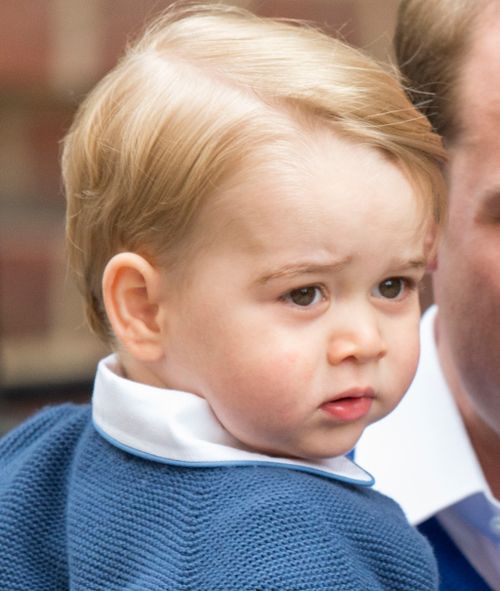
point(176, 427)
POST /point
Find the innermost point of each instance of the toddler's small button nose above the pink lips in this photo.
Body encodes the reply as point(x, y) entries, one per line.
point(358, 339)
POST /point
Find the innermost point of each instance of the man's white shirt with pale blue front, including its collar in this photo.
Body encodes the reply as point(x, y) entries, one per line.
point(421, 456)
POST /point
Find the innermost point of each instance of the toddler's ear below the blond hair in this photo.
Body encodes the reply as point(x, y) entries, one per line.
point(131, 293)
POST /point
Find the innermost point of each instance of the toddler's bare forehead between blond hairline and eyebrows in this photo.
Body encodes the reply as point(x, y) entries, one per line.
point(311, 209)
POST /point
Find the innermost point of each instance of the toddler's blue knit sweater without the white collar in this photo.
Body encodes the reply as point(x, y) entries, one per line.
point(77, 513)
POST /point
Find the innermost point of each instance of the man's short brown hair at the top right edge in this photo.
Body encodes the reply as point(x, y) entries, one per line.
point(431, 40)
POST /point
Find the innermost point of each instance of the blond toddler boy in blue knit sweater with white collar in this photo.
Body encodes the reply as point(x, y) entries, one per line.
point(251, 207)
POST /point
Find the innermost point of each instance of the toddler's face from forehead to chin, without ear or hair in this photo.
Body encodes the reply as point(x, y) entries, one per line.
point(298, 319)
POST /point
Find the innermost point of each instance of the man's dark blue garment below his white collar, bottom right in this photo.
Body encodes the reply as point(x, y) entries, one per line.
point(456, 573)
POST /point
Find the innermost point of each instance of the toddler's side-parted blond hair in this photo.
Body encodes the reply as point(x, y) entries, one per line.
point(189, 102)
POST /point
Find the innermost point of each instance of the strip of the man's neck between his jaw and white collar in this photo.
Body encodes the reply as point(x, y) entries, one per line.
point(485, 440)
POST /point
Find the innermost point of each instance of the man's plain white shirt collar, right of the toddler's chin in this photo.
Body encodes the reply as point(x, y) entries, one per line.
point(421, 454)
